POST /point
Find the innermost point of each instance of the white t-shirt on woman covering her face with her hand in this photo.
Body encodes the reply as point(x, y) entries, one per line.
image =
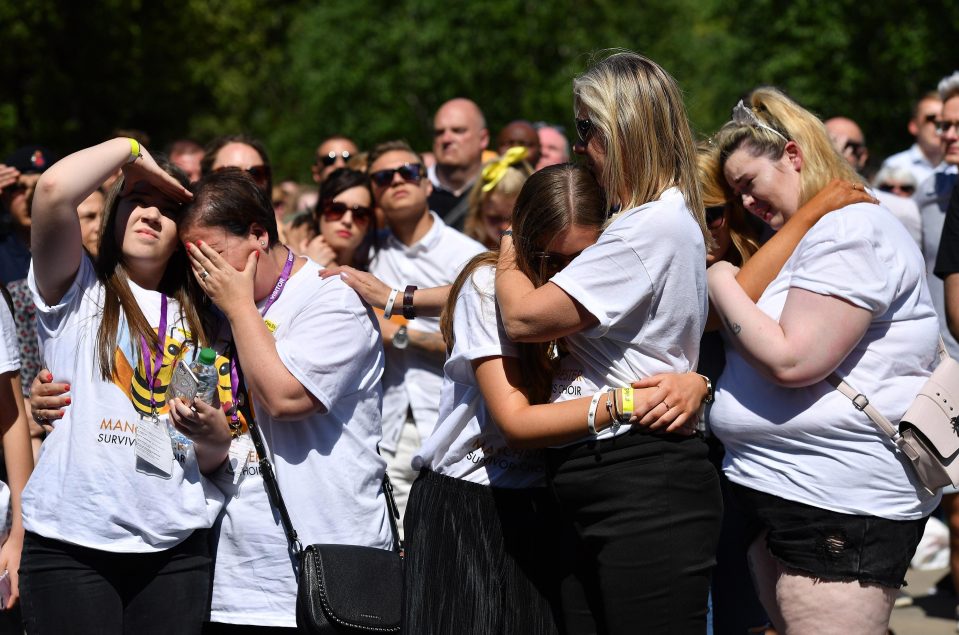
point(327, 466)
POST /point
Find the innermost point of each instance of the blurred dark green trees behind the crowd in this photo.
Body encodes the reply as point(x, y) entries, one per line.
point(294, 72)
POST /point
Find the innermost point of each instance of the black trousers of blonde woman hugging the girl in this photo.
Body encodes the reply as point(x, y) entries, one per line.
point(645, 512)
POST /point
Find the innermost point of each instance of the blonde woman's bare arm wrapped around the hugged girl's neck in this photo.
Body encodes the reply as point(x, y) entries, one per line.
point(533, 314)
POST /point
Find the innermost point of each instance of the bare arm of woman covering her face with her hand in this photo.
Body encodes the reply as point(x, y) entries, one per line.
point(276, 389)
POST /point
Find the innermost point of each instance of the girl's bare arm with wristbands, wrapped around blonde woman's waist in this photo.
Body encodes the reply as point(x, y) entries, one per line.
point(535, 426)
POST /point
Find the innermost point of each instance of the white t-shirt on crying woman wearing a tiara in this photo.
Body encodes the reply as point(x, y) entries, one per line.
point(810, 444)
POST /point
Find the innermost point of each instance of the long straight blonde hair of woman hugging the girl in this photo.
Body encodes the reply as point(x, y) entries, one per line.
point(638, 113)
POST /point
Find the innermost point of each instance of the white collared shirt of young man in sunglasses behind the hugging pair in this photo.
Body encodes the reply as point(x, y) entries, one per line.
point(413, 378)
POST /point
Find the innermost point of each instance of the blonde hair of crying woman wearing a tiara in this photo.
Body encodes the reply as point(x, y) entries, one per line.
point(820, 161)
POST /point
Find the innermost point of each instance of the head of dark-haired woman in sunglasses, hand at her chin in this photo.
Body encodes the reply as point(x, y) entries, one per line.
point(344, 221)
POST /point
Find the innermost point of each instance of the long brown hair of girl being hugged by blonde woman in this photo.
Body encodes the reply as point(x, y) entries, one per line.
point(552, 200)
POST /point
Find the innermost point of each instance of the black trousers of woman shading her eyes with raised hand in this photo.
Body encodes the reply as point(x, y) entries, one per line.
point(69, 589)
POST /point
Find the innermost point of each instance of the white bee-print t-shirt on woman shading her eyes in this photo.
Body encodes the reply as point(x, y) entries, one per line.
point(86, 488)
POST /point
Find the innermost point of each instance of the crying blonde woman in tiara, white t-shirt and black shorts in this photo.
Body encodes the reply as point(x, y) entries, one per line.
point(835, 510)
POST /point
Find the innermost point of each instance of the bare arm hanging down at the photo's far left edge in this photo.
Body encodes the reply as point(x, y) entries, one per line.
point(18, 457)
